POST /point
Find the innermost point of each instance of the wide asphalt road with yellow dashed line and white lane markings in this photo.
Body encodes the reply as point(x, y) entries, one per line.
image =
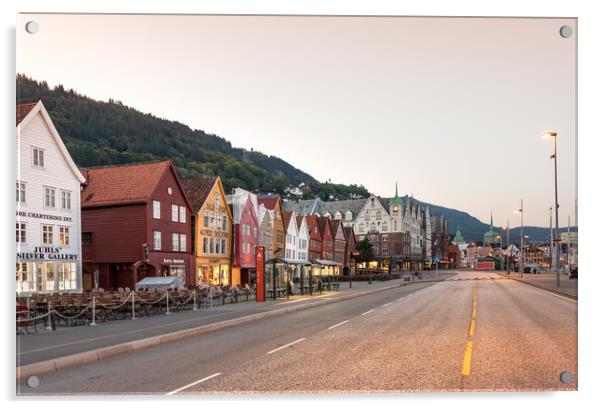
point(476, 331)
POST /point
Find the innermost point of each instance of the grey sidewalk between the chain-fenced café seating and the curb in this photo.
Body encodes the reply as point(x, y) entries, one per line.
point(48, 345)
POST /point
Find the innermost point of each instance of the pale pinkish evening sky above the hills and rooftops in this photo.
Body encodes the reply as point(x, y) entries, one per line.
point(452, 109)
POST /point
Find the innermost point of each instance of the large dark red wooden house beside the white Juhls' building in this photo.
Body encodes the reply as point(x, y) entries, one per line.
point(135, 224)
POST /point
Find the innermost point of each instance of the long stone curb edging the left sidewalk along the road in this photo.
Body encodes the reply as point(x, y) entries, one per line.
point(99, 354)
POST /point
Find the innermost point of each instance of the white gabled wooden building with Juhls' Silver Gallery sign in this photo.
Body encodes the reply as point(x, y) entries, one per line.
point(48, 216)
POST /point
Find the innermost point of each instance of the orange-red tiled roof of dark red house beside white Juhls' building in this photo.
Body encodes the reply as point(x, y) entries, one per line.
point(123, 184)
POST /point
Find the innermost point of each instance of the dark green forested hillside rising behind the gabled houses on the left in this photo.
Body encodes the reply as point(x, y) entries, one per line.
point(107, 133)
